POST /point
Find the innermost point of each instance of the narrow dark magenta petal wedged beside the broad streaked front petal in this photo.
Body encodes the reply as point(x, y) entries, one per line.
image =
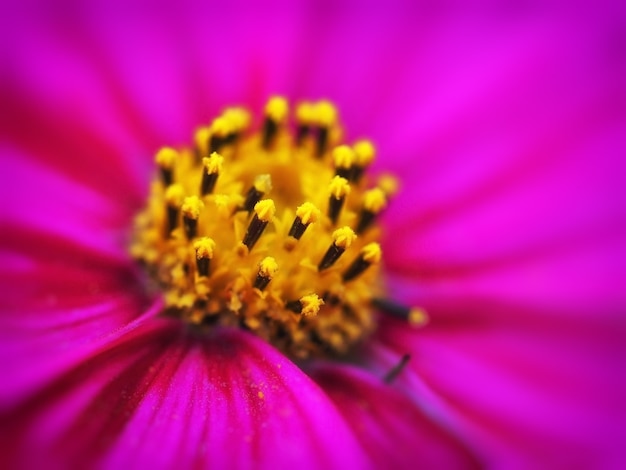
point(394, 432)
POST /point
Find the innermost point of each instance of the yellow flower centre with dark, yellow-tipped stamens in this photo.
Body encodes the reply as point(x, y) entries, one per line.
point(273, 231)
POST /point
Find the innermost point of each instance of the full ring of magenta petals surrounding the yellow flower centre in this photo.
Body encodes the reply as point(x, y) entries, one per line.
point(505, 130)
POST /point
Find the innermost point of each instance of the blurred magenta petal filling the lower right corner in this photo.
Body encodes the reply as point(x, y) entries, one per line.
point(520, 395)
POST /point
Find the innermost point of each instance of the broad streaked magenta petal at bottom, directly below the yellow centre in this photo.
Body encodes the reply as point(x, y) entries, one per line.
point(164, 397)
